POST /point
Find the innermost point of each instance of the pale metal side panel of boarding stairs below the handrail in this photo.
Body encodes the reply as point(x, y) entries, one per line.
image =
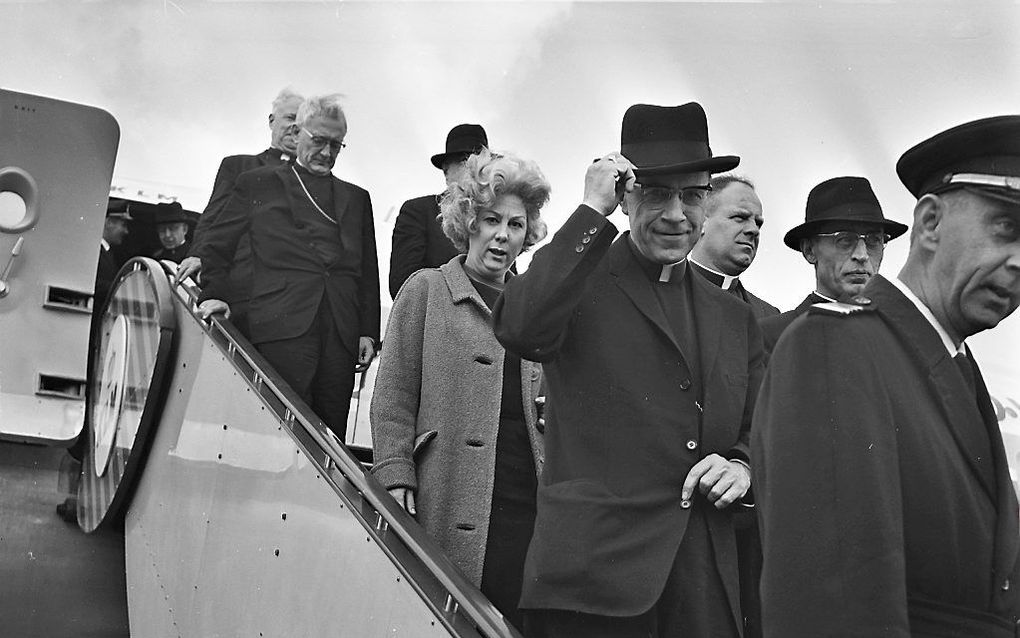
point(234, 532)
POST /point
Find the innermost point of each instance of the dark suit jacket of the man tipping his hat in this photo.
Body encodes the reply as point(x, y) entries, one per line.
point(625, 427)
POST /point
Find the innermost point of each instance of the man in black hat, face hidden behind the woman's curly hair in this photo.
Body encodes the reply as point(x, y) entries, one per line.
point(419, 241)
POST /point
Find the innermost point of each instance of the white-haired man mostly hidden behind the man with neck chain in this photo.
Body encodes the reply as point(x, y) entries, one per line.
point(283, 145)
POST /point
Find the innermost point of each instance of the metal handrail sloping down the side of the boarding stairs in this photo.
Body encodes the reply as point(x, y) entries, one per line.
point(456, 602)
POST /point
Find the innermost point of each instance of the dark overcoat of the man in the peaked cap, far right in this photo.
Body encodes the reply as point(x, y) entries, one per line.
point(882, 483)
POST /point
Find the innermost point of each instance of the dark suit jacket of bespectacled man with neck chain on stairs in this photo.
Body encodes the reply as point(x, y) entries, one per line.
point(290, 278)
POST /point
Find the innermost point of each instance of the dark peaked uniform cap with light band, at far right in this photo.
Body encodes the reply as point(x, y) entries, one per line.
point(983, 155)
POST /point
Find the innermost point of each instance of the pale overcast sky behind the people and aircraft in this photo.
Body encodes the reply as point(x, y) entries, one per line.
point(802, 91)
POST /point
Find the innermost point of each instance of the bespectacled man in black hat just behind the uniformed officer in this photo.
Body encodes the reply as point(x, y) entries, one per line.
point(844, 237)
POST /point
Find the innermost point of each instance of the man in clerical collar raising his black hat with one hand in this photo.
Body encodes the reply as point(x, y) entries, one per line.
point(652, 375)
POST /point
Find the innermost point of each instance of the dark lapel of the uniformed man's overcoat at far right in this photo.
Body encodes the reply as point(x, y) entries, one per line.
point(955, 398)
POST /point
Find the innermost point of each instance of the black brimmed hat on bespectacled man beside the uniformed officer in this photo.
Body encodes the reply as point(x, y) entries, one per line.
point(842, 200)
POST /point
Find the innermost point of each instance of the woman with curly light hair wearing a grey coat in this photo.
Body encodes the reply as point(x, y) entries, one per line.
point(444, 379)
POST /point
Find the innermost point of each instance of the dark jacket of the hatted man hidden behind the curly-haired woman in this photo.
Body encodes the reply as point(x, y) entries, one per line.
point(419, 241)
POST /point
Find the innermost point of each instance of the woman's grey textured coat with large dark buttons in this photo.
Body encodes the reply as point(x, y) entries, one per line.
point(442, 371)
